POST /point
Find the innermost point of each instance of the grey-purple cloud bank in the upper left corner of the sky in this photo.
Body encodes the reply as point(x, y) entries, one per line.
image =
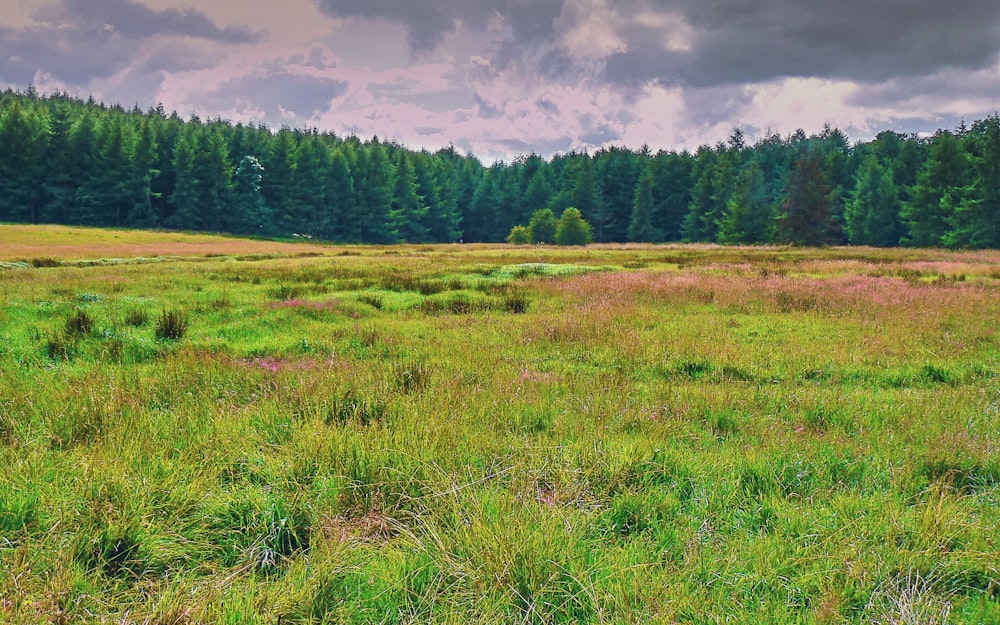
point(81, 40)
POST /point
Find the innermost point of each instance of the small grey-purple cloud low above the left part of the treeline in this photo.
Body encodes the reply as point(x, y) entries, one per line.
point(304, 96)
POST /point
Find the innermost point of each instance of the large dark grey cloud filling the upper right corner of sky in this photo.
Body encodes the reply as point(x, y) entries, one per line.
point(736, 41)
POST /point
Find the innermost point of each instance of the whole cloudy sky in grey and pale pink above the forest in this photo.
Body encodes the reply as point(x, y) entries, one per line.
point(506, 77)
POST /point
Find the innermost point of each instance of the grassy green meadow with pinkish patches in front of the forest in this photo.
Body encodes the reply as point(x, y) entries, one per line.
point(199, 429)
